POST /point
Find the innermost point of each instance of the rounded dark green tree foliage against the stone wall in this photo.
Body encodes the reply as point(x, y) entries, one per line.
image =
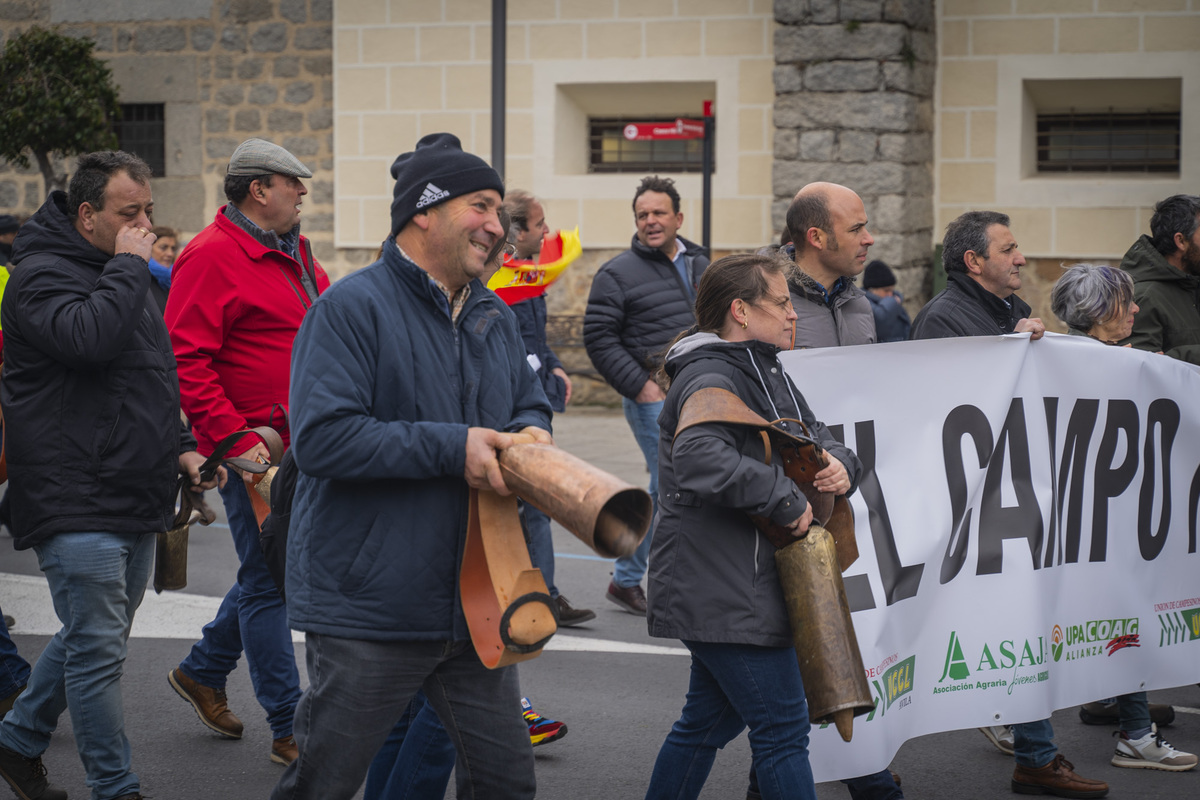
point(56, 98)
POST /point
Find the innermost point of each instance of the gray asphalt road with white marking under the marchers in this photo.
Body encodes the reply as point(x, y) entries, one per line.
point(617, 689)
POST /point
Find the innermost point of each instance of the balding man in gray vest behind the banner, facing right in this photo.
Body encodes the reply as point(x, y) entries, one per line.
point(830, 245)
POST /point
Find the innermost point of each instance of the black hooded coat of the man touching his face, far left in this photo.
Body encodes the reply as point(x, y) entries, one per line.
point(89, 393)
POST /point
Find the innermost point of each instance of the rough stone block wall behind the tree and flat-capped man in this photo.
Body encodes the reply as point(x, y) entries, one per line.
point(227, 71)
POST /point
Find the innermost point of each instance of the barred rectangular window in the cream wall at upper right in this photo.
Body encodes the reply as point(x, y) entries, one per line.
point(1113, 142)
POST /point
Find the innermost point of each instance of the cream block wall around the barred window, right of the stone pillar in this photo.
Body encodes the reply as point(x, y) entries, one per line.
point(1001, 64)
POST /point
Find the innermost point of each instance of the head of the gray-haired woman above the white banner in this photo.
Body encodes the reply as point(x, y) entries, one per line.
point(1095, 300)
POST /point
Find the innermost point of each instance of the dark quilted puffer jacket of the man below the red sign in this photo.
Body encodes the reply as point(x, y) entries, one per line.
point(638, 306)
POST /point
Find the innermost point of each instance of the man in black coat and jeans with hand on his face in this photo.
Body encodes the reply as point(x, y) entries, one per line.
point(95, 446)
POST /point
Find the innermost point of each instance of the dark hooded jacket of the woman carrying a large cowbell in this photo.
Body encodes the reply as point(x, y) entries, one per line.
point(712, 575)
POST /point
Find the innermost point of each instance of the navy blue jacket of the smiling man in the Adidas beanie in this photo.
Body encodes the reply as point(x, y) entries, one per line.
point(383, 392)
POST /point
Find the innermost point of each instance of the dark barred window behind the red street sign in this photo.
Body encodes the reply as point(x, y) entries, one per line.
point(611, 152)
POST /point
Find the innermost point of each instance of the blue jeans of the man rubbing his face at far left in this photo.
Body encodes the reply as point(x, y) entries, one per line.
point(97, 585)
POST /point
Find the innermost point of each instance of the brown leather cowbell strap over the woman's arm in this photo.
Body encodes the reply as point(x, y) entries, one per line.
point(802, 459)
